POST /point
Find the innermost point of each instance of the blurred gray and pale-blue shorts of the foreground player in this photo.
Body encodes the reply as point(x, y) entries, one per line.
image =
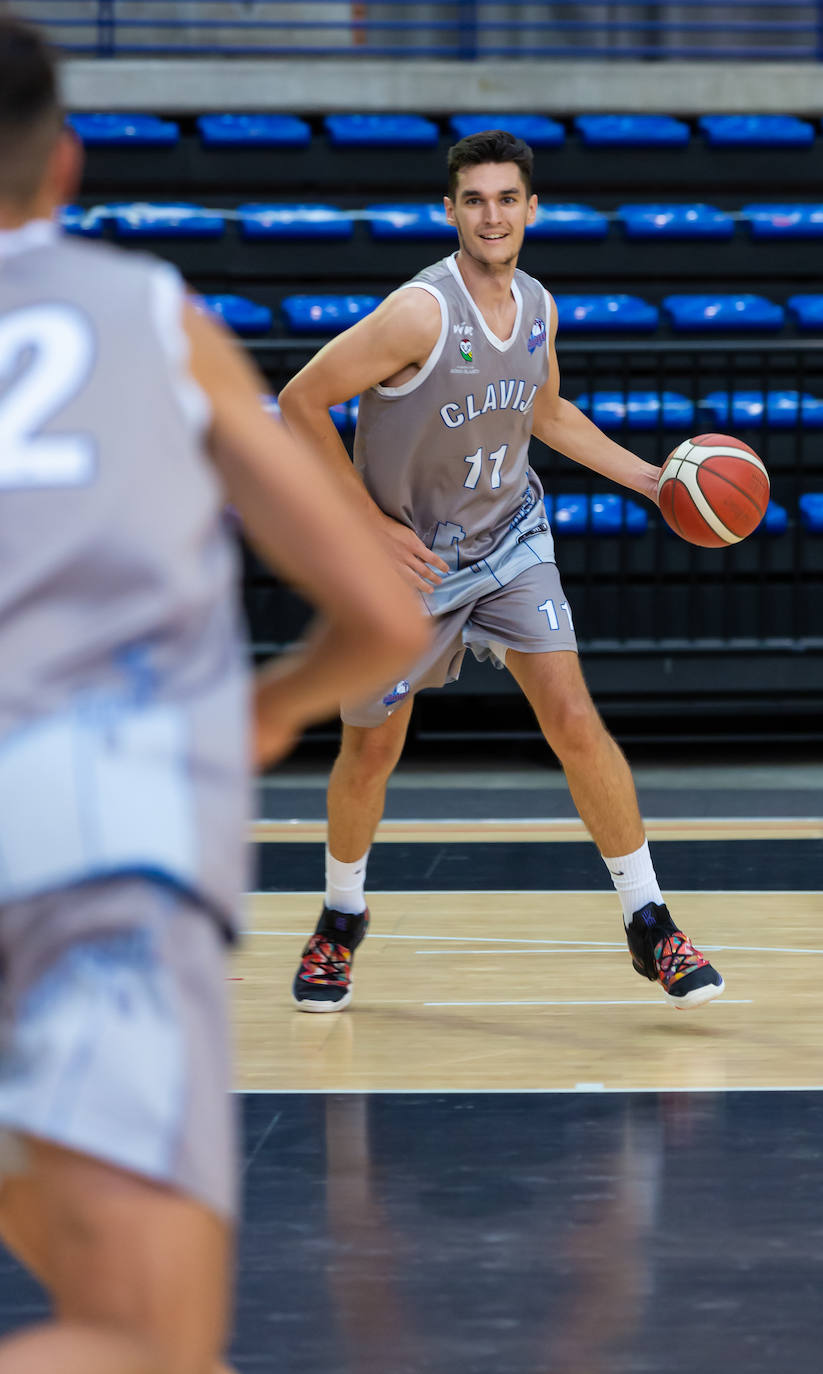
point(115, 1035)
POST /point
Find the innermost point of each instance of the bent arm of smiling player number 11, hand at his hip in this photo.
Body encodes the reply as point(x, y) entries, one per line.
point(392, 341)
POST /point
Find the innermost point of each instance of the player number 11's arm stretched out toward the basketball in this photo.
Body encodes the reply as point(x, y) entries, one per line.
point(568, 431)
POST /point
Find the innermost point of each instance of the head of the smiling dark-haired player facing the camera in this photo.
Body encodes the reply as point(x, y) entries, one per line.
point(490, 200)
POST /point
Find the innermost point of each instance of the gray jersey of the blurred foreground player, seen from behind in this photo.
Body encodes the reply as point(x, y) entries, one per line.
point(123, 678)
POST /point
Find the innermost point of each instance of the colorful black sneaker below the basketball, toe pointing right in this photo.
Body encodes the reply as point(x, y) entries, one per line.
point(666, 956)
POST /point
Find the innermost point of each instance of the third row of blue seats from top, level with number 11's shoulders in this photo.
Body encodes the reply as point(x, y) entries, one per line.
point(616, 314)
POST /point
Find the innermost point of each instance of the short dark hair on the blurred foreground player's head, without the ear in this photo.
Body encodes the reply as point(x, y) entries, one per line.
point(30, 109)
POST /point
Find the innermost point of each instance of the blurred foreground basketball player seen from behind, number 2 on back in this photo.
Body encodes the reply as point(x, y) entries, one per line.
point(127, 420)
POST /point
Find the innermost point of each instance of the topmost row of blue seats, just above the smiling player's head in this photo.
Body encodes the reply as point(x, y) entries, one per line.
point(605, 131)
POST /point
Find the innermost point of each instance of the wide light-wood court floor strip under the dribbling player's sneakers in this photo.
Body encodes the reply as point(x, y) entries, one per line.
point(534, 991)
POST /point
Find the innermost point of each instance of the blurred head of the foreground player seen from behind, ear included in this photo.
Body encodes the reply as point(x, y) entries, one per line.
point(39, 161)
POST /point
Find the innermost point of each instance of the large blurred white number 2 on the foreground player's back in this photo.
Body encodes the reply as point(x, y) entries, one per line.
point(46, 357)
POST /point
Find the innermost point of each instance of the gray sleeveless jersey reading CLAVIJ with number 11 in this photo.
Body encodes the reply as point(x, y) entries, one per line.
point(449, 453)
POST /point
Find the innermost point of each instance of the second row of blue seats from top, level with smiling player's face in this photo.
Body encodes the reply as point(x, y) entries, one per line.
point(182, 219)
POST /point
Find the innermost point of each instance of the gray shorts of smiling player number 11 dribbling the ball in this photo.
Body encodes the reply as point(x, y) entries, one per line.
point(530, 615)
